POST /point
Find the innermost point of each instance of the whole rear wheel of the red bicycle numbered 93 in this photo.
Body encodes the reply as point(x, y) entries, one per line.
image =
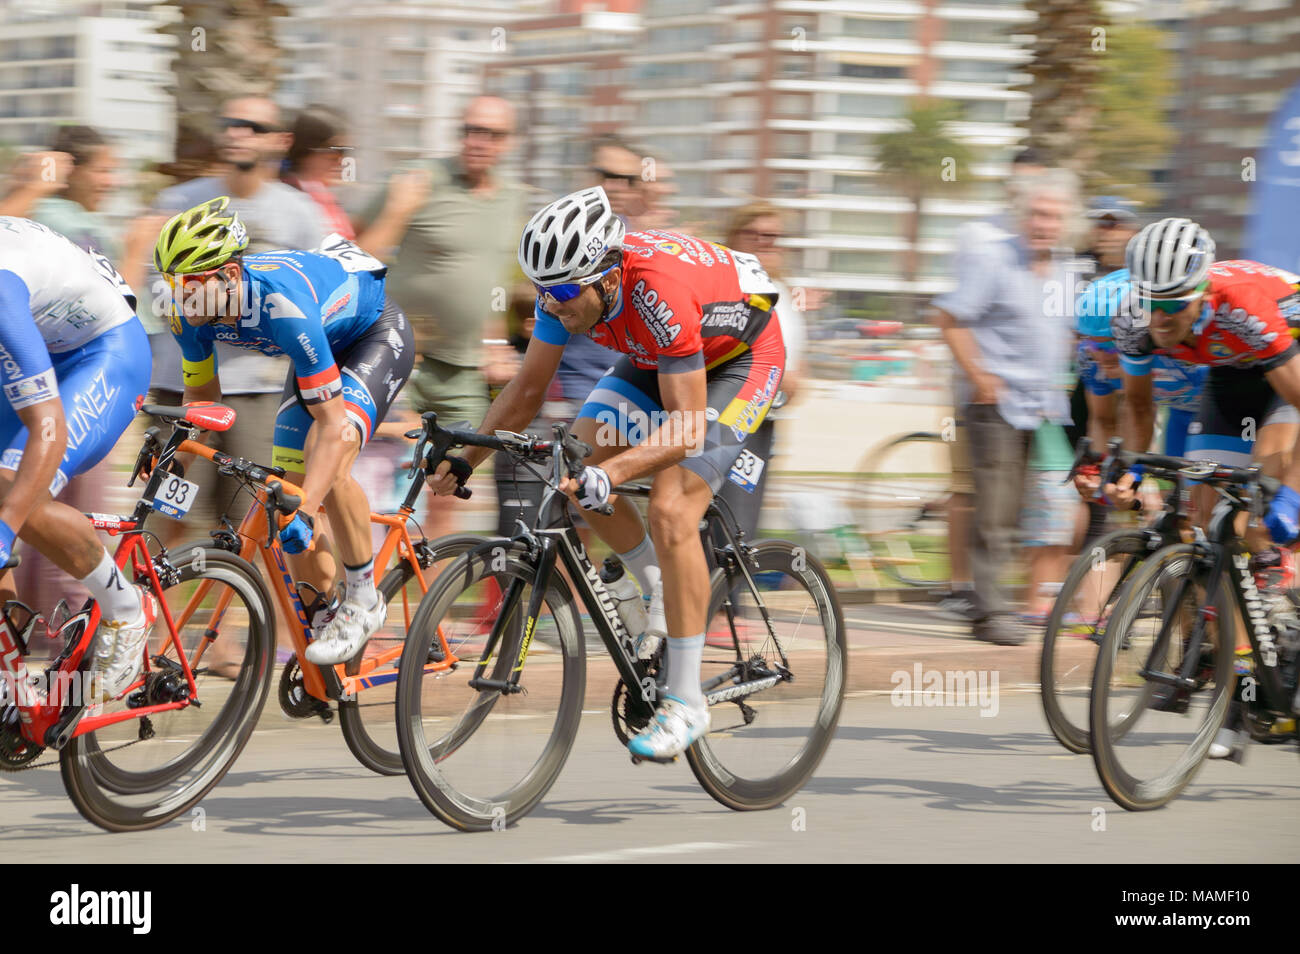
point(144, 773)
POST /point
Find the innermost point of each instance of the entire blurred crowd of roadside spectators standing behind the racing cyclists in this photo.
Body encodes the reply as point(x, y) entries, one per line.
point(449, 228)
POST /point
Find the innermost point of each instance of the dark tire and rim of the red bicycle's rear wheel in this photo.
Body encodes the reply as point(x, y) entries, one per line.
point(154, 797)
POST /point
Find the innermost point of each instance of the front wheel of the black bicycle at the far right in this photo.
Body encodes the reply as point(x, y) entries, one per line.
point(1149, 739)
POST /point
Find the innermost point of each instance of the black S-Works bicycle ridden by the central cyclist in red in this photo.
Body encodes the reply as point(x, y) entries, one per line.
point(486, 739)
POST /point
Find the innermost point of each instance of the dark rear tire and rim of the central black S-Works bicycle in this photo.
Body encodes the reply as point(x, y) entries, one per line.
point(727, 784)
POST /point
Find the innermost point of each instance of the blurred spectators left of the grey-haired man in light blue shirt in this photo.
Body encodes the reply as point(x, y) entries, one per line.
point(448, 228)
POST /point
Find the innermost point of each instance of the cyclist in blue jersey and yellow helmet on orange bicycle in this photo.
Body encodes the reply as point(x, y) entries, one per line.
point(352, 352)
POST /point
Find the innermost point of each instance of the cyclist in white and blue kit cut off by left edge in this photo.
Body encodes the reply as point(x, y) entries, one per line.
point(68, 337)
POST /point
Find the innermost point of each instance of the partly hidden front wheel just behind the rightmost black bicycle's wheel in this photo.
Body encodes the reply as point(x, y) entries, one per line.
point(1074, 631)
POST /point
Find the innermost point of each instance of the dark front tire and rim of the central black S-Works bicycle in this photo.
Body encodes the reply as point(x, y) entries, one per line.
point(427, 762)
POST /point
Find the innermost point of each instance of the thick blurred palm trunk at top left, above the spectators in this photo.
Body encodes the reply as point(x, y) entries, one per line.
point(224, 49)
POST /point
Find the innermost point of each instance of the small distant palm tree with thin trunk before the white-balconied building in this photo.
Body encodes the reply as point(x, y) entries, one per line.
point(922, 161)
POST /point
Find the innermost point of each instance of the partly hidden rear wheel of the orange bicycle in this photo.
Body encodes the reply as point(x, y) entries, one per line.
point(367, 721)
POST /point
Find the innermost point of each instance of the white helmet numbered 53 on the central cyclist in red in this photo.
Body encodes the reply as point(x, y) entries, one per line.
point(567, 240)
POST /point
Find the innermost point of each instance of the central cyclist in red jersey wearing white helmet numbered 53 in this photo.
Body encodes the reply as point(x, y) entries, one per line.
point(701, 362)
